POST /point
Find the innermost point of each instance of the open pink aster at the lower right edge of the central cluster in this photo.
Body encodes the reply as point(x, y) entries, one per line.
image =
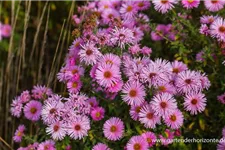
point(195, 102)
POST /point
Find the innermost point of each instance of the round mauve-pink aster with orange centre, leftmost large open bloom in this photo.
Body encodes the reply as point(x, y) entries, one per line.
point(32, 110)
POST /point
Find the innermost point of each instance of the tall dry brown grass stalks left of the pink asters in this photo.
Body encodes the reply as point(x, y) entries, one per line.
point(28, 64)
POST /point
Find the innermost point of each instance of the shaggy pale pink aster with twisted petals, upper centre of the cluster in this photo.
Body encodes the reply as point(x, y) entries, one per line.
point(122, 36)
